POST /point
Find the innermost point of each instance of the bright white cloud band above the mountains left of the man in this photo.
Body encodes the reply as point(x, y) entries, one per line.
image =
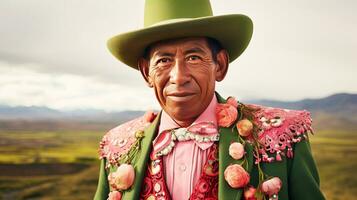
point(21, 86)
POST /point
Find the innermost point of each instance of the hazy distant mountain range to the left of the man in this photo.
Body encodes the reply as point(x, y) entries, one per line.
point(47, 119)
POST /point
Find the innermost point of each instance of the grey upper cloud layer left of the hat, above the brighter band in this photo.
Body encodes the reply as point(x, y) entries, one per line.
point(65, 36)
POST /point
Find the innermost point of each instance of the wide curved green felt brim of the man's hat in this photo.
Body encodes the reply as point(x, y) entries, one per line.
point(232, 31)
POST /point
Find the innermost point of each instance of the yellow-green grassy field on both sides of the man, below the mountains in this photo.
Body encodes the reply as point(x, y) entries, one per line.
point(64, 164)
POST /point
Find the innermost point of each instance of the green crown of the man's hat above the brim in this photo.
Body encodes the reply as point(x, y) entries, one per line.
point(157, 11)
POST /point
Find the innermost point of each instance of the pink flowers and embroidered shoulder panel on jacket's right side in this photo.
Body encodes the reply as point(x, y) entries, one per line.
point(270, 131)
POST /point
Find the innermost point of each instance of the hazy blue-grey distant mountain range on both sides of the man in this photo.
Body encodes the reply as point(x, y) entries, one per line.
point(335, 111)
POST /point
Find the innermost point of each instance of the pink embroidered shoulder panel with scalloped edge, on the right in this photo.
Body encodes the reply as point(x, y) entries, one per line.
point(279, 129)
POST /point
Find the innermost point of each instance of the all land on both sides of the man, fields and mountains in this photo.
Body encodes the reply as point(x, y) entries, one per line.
point(53, 155)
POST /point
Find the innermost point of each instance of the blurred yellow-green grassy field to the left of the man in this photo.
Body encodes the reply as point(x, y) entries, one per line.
point(48, 165)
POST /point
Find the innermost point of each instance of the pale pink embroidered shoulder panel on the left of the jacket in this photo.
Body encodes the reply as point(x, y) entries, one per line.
point(119, 140)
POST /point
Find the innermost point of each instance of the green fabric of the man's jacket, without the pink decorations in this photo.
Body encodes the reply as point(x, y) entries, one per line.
point(299, 175)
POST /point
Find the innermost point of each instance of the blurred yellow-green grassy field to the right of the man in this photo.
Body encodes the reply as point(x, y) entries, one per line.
point(335, 153)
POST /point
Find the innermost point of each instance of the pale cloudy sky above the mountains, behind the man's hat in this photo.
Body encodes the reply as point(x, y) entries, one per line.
point(53, 53)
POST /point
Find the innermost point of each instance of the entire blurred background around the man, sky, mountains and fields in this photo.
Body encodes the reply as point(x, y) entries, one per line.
point(61, 90)
